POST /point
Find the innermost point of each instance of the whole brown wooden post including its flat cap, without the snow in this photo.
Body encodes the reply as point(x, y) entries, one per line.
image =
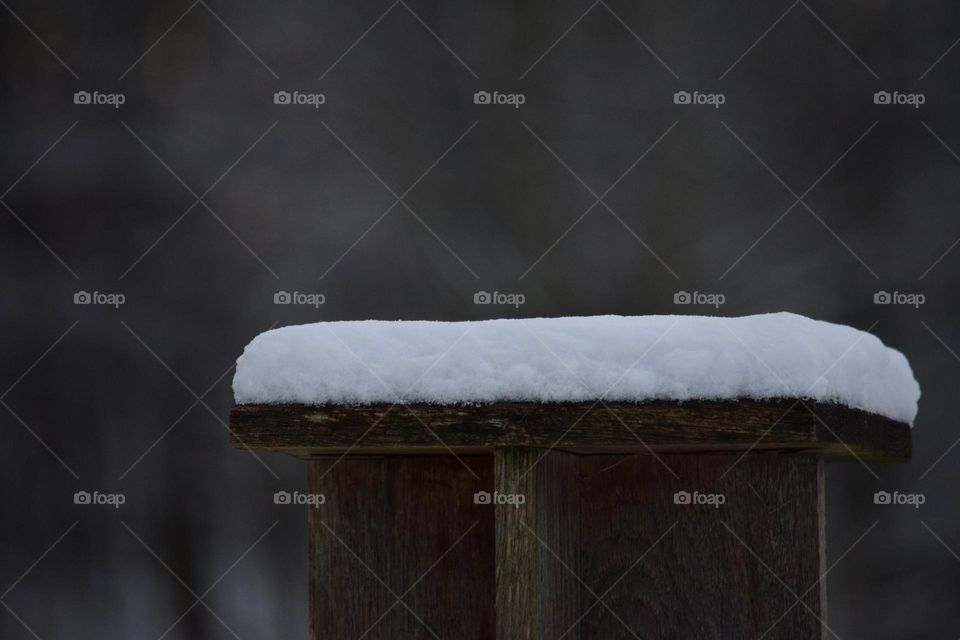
point(700, 520)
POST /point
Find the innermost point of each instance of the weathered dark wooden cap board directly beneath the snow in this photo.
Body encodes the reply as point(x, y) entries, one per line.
point(836, 431)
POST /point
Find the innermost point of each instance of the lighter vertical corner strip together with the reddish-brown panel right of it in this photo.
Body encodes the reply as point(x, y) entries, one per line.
point(603, 550)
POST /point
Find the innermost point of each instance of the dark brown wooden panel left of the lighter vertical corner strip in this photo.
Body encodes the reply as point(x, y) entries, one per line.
point(388, 524)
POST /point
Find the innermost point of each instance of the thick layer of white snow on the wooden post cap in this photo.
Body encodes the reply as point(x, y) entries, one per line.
point(616, 358)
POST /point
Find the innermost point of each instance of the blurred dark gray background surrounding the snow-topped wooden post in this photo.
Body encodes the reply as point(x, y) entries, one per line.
point(133, 399)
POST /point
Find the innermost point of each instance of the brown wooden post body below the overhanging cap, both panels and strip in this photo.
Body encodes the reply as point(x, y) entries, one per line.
point(599, 550)
